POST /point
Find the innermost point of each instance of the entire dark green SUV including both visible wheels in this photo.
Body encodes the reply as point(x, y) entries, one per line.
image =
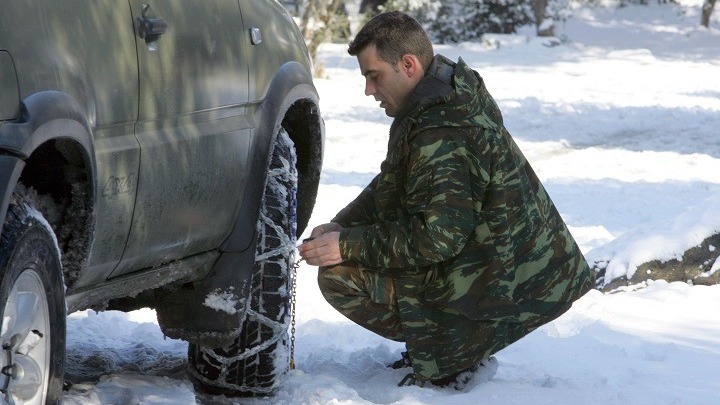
point(162, 154)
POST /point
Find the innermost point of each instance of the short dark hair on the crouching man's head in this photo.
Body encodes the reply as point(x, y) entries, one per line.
point(394, 34)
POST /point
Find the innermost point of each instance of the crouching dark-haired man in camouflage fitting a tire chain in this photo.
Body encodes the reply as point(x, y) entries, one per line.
point(455, 248)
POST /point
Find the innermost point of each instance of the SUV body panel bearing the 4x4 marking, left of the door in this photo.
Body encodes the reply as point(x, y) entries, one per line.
point(88, 52)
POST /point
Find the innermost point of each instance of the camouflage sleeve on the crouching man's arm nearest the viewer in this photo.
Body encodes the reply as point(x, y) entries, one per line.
point(425, 203)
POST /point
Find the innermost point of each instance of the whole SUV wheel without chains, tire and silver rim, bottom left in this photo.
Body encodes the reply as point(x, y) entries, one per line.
point(32, 301)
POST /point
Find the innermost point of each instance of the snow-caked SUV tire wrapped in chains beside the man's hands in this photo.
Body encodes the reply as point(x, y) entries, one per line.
point(256, 362)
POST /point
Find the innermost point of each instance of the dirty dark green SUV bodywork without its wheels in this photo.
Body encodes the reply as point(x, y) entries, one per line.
point(142, 133)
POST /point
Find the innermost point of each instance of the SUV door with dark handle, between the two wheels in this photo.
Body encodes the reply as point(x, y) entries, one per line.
point(192, 128)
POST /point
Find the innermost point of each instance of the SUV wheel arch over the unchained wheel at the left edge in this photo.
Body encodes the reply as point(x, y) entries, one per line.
point(49, 151)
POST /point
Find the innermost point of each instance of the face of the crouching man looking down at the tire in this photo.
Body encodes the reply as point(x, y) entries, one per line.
point(389, 84)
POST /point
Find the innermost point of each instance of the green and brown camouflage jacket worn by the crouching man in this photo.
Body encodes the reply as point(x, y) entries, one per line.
point(460, 221)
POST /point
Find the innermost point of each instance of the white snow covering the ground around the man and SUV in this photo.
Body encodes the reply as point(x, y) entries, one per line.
point(620, 122)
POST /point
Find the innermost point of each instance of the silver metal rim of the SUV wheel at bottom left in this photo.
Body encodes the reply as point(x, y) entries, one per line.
point(25, 341)
